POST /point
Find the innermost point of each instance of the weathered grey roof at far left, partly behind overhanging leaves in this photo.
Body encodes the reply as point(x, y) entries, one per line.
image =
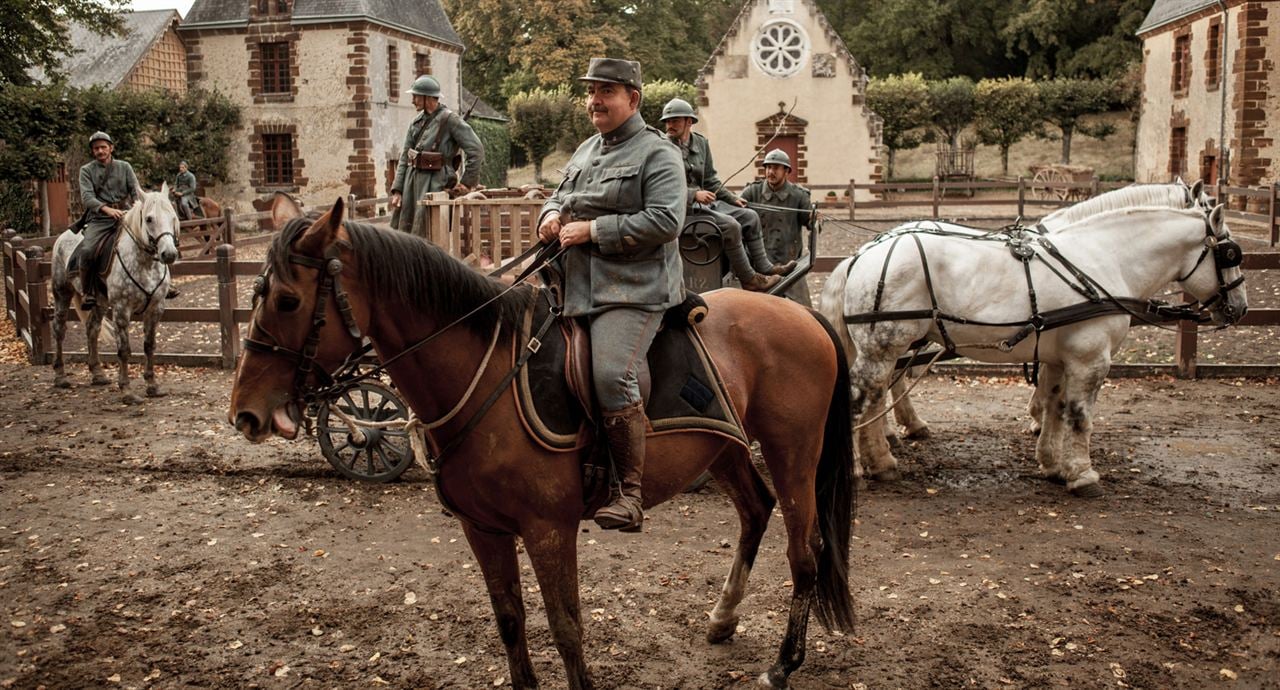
point(108, 61)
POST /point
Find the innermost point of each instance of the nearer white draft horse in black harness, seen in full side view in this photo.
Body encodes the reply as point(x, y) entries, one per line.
point(1124, 254)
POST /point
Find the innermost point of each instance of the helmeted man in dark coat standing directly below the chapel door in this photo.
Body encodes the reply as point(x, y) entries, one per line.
point(783, 237)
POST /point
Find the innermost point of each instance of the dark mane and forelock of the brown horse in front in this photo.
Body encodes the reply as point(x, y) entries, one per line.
point(403, 267)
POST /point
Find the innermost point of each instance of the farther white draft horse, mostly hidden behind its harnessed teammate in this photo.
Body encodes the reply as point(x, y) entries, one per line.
point(874, 436)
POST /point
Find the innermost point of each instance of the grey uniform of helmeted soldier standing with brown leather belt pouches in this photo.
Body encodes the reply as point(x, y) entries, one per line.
point(414, 184)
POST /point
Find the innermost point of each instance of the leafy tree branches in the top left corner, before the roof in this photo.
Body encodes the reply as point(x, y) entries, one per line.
point(35, 34)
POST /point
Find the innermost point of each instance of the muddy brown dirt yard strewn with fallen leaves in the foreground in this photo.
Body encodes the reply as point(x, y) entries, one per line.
point(152, 547)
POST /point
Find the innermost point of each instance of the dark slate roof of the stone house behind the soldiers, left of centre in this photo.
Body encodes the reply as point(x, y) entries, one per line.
point(424, 19)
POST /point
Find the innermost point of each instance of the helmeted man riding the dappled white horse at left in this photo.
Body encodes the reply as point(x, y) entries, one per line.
point(108, 189)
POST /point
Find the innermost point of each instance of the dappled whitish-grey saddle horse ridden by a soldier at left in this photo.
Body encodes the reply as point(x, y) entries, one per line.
point(136, 287)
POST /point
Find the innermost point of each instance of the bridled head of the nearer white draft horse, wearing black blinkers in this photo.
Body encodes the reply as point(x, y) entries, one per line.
point(1217, 278)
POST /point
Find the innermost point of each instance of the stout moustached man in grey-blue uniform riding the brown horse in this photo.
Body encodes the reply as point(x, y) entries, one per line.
point(619, 212)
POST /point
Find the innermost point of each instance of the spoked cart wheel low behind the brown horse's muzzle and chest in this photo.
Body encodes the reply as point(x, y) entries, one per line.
point(386, 454)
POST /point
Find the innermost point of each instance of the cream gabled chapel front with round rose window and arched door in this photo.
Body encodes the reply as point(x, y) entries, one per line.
point(781, 72)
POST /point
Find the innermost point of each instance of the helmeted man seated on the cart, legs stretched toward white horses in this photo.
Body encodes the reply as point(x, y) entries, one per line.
point(708, 199)
